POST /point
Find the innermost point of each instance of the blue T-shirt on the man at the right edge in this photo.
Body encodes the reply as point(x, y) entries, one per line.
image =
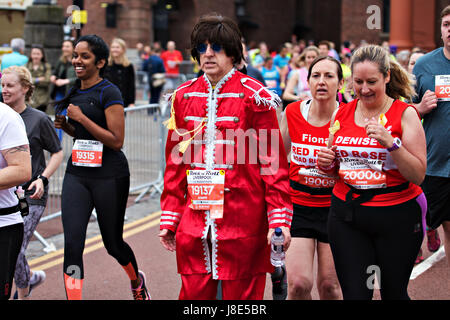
point(435, 123)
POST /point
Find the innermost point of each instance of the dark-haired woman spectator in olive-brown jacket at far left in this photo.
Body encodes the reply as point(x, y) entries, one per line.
point(41, 72)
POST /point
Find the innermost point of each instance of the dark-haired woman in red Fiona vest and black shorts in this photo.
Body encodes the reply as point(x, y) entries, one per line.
point(305, 130)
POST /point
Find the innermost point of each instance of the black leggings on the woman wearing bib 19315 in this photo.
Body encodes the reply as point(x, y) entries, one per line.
point(109, 197)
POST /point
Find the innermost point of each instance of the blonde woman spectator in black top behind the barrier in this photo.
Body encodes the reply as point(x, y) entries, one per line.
point(120, 71)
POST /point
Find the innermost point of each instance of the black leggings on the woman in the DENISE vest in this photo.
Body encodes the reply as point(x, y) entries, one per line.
point(378, 240)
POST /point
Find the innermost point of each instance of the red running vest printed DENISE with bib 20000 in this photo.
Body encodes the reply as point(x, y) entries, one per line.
point(364, 163)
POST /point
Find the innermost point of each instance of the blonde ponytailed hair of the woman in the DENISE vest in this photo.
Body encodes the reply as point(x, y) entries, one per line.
point(401, 84)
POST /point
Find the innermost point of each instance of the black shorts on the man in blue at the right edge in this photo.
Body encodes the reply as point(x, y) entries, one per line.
point(437, 192)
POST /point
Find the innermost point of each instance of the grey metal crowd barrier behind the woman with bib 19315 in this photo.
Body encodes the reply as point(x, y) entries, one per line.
point(145, 137)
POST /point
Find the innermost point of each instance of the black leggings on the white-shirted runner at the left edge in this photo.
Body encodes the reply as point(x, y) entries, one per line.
point(10, 242)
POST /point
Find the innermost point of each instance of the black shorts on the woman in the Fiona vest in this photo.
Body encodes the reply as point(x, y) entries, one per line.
point(310, 222)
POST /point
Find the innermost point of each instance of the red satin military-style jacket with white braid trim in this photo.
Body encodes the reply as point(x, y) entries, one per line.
point(234, 128)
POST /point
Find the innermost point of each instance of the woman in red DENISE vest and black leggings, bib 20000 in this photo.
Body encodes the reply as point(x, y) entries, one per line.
point(378, 210)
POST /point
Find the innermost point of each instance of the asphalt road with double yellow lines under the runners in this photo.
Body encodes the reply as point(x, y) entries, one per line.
point(106, 280)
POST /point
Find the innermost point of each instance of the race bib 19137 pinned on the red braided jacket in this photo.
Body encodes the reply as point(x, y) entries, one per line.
point(206, 189)
